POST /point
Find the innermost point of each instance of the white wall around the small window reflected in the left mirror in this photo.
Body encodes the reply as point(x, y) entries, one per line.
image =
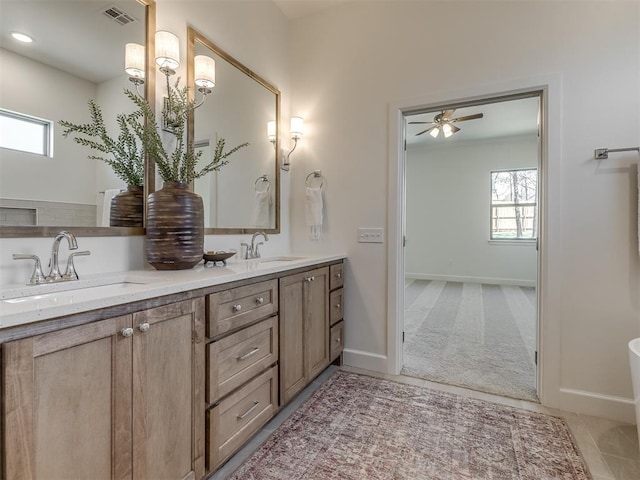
point(36, 89)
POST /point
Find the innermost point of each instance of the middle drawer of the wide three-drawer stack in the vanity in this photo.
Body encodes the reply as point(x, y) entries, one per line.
point(237, 358)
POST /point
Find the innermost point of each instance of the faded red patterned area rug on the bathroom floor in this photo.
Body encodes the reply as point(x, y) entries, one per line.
point(356, 427)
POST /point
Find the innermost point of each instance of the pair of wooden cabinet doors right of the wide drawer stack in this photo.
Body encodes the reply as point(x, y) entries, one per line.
point(304, 329)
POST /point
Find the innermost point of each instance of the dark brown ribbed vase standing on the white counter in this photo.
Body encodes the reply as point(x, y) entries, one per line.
point(175, 227)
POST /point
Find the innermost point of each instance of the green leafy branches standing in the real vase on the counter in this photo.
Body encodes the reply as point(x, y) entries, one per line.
point(178, 165)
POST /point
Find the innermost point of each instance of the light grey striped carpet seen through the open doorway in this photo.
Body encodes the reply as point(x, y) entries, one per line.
point(472, 335)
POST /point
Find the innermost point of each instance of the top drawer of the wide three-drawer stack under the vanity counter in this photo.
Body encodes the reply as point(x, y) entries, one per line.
point(237, 307)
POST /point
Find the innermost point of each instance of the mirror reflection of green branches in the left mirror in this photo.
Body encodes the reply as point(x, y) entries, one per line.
point(126, 152)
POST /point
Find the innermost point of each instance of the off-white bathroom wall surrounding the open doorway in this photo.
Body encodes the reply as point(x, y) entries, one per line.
point(351, 62)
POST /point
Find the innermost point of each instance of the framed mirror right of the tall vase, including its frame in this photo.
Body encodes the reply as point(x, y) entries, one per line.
point(244, 195)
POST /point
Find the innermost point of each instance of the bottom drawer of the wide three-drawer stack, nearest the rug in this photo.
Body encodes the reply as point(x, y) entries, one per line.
point(235, 419)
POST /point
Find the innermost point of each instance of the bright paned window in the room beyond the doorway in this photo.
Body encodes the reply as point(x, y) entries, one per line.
point(514, 204)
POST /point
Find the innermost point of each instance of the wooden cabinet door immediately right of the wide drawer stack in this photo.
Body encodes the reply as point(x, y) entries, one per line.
point(292, 336)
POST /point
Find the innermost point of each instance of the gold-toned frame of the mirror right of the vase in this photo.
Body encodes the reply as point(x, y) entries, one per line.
point(194, 36)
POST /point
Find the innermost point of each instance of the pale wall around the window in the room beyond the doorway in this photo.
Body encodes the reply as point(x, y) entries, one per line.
point(447, 208)
